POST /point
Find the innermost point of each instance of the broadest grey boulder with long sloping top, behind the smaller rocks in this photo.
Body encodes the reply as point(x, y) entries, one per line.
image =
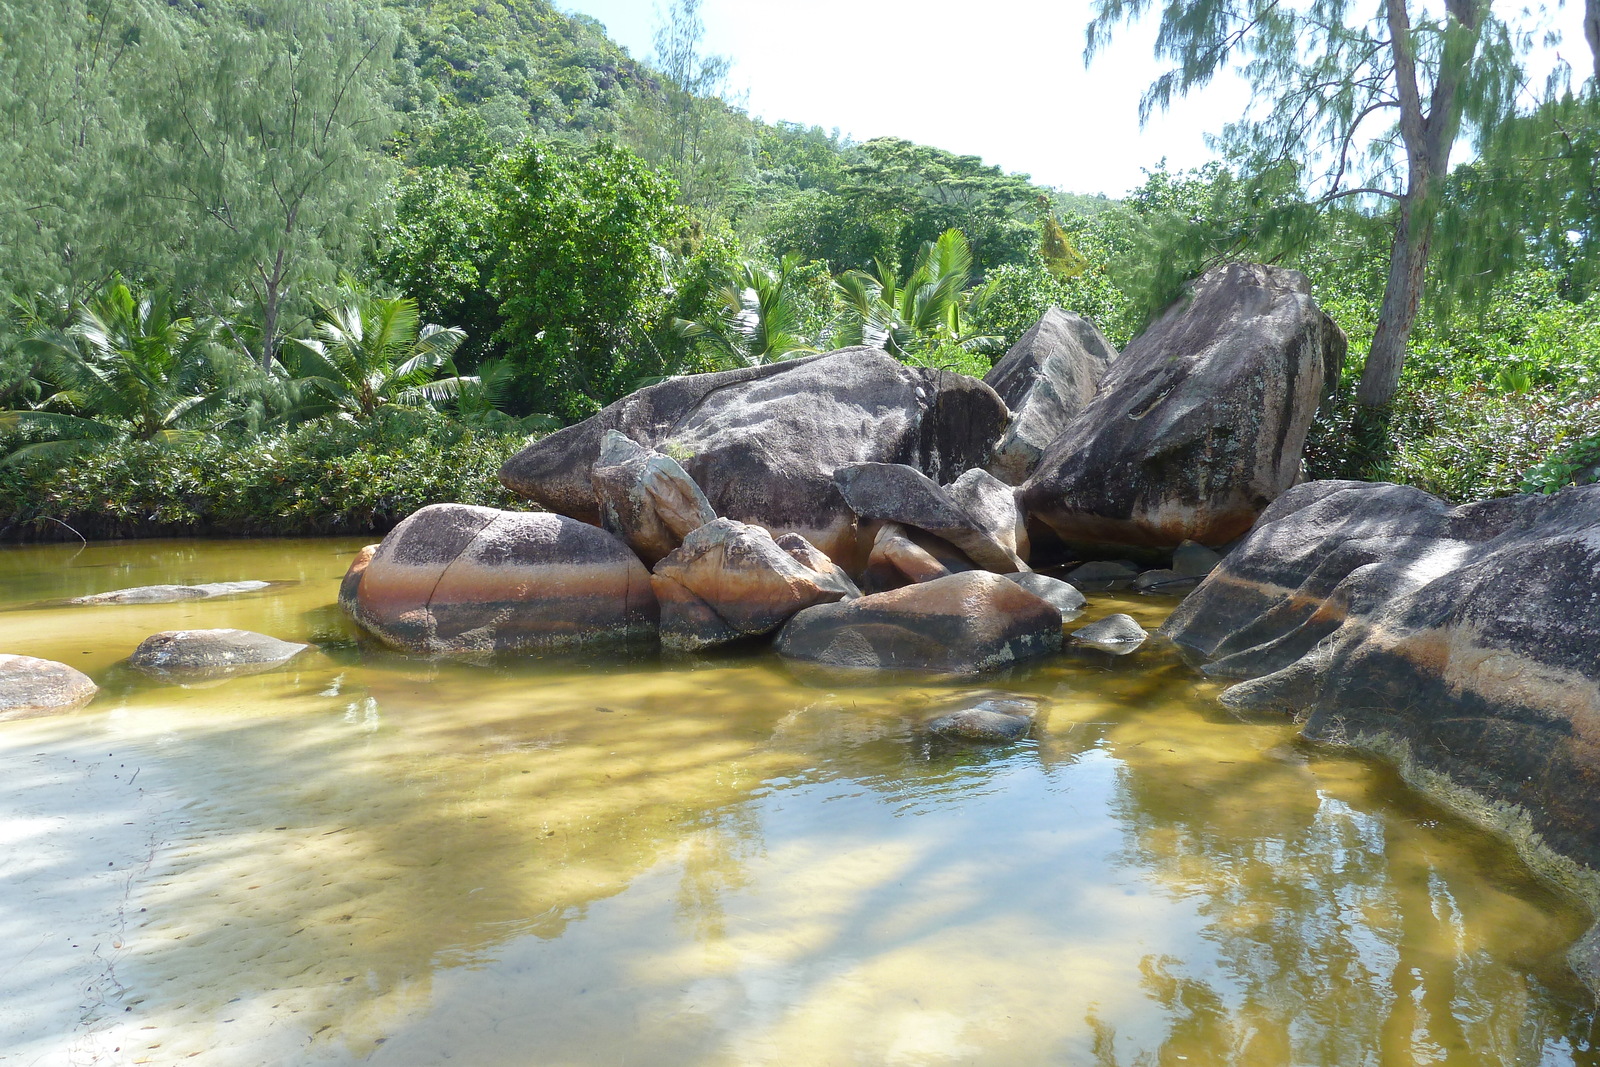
point(764, 442)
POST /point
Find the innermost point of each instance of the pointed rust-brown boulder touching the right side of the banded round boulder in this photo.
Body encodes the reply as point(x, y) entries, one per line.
point(730, 581)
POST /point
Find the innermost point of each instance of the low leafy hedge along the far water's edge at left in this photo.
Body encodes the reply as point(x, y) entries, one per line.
point(324, 478)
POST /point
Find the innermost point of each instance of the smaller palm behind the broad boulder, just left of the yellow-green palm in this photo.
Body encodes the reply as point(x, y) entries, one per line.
point(756, 318)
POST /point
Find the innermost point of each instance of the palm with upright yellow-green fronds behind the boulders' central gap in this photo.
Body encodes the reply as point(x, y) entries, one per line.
point(932, 311)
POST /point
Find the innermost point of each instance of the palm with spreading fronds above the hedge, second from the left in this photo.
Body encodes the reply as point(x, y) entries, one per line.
point(370, 351)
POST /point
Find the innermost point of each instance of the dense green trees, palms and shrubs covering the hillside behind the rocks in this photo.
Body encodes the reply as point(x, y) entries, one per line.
point(306, 265)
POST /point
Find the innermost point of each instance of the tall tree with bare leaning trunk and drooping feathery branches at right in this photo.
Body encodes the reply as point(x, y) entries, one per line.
point(1369, 97)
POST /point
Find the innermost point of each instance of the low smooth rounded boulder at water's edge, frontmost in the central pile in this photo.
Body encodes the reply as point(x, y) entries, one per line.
point(956, 625)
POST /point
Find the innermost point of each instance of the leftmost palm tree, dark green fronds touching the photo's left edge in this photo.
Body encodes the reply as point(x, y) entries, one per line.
point(129, 366)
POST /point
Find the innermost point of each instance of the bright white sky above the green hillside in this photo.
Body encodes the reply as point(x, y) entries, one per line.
point(1002, 79)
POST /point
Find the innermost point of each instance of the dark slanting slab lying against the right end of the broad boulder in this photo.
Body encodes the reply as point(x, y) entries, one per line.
point(903, 495)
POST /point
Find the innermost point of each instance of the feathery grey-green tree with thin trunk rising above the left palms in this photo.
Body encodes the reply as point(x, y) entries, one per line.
point(270, 148)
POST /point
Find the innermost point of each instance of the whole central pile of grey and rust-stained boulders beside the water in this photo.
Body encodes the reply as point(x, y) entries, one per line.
point(871, 514)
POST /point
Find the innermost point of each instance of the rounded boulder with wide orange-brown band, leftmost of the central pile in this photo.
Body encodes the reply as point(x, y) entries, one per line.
point(455, 578)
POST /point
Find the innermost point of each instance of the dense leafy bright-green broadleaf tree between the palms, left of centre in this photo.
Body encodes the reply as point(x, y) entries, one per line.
point(583, 274)
